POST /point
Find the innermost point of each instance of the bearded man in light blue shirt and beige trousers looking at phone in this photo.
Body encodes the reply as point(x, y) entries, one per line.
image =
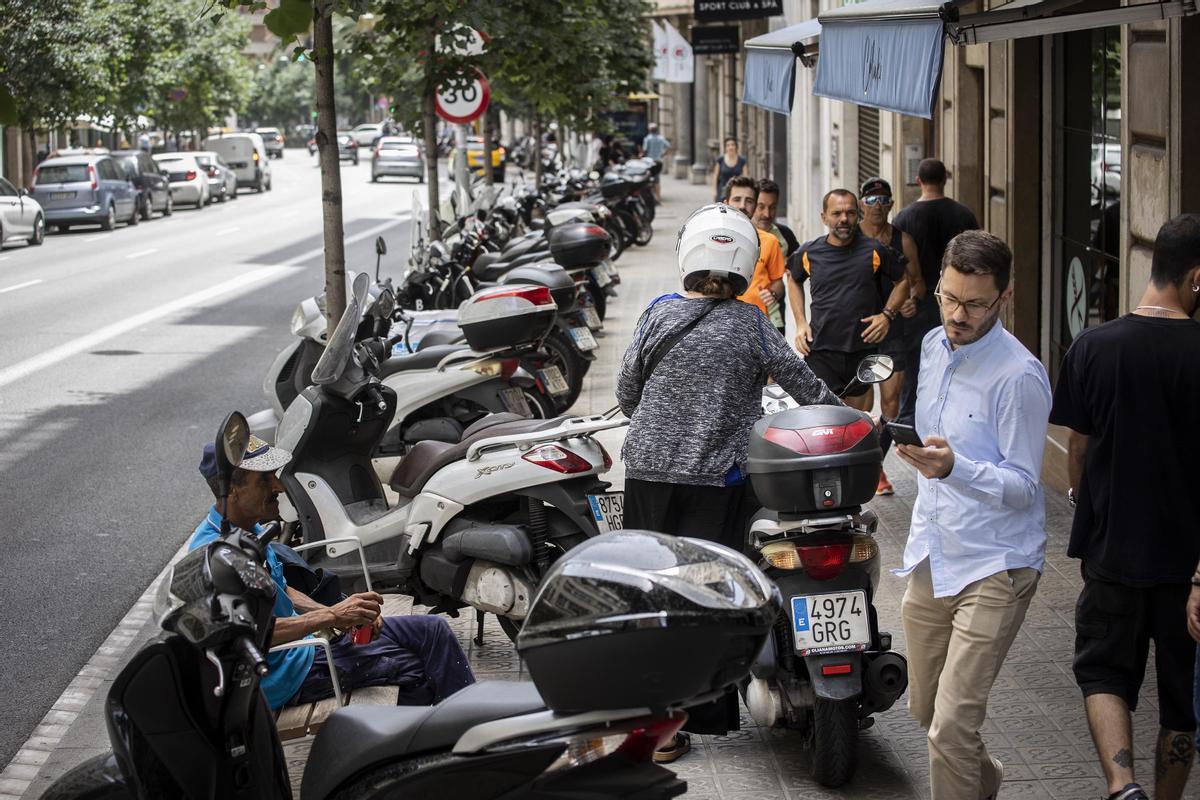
point(977, 539)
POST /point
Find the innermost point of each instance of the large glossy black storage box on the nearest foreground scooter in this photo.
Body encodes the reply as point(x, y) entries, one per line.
point(638, 619)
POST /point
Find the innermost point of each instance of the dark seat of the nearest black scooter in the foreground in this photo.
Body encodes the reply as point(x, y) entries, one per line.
point(358, 737)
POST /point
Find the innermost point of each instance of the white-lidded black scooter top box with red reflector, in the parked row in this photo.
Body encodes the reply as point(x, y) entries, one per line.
point(507, 316)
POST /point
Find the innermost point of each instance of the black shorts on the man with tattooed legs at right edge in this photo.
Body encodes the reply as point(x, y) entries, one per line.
point(1114, 625)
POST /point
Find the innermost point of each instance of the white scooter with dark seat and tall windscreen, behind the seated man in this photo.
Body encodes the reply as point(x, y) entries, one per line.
point(478, 522)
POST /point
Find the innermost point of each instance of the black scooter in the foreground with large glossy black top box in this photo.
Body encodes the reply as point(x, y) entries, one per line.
point(187, 720)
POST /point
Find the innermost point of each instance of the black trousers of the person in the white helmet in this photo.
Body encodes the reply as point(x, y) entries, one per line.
point(717, 514)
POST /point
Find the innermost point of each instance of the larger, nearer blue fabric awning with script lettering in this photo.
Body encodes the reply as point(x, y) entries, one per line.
point(883, 53)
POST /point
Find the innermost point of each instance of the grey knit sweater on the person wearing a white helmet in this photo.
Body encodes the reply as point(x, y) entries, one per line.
point(691, 423)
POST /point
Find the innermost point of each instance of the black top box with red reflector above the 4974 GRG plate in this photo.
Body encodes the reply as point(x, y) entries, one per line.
point(814, 459)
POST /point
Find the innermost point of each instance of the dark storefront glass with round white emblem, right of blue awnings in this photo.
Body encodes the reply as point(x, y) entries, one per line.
point(1088, 183)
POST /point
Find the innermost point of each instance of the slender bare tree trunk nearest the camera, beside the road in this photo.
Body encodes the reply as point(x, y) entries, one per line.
point(331, 170)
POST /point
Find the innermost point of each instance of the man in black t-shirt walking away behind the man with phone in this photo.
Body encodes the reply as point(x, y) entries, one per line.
point(933, 222)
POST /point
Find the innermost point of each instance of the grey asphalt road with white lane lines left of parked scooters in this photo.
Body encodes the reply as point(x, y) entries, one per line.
point(123, 352)
